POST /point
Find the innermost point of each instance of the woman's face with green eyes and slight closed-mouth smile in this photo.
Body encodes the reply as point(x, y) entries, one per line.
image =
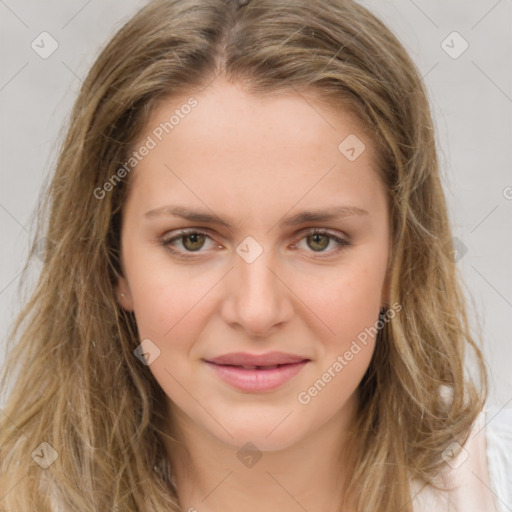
point(250, 278)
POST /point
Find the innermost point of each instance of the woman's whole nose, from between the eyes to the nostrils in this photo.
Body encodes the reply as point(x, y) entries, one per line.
point(257, 300)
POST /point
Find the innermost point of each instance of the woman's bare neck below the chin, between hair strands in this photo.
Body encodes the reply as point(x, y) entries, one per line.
point(211, 475)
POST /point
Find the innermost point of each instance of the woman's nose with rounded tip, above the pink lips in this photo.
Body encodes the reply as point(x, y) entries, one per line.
point(257, 299)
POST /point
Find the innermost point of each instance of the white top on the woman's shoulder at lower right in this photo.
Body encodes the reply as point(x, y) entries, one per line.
point(479, 474)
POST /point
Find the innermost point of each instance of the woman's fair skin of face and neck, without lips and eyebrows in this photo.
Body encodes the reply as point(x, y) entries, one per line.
point(255, 162)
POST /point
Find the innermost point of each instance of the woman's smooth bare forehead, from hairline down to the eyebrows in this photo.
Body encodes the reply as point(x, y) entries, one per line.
point(233, 144)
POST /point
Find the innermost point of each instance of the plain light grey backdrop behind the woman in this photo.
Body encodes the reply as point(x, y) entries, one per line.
point(462, 49)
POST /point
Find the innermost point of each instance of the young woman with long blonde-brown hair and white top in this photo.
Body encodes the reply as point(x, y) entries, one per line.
point(249, 298)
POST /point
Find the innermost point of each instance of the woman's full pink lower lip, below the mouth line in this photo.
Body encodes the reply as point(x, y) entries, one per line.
point(257, 380)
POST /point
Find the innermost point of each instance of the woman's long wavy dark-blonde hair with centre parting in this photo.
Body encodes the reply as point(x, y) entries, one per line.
point(75, 381)
